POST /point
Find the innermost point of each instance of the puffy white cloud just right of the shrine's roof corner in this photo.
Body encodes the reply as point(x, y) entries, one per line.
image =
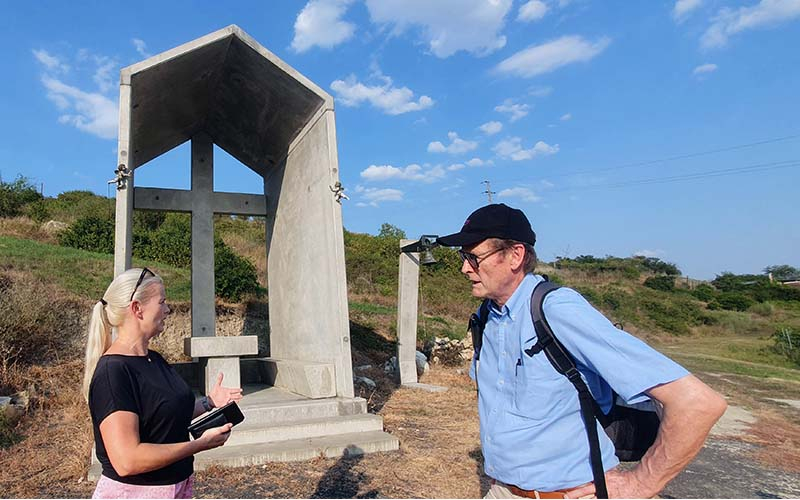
point(391, 100)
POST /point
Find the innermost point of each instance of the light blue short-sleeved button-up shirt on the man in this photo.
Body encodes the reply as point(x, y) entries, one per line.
point(532, 433)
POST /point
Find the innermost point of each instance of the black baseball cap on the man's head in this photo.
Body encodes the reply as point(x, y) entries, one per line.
point(492, 221)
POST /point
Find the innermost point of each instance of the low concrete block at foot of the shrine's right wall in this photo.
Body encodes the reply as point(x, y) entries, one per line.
point(312, 380)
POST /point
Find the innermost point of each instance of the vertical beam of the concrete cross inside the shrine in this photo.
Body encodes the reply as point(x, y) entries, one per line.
point(203, 305)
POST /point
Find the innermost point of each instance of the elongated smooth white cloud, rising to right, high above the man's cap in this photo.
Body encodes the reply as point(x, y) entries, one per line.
point(540, 59)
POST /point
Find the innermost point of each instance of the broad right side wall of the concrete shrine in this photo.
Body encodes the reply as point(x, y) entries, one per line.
point(308, 314)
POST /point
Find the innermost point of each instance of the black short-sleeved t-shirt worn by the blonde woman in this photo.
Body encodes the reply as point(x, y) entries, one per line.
point(149, 387)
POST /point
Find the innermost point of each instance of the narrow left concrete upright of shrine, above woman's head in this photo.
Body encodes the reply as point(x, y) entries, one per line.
point(123, 225)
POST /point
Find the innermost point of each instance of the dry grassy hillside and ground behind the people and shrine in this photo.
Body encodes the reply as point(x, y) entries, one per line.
point(736, 332)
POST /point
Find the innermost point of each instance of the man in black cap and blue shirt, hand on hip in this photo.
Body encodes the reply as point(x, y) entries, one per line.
point(532, 434)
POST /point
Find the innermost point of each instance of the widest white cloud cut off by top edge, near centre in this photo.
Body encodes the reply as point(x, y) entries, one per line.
point(447, 26)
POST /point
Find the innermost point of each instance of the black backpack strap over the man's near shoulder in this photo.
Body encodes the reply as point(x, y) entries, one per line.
point(562, 361)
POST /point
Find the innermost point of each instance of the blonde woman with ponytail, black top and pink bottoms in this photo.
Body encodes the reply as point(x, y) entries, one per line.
point(140, 406)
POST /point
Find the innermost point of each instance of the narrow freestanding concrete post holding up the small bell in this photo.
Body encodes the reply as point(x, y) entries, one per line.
point(407, 303)
